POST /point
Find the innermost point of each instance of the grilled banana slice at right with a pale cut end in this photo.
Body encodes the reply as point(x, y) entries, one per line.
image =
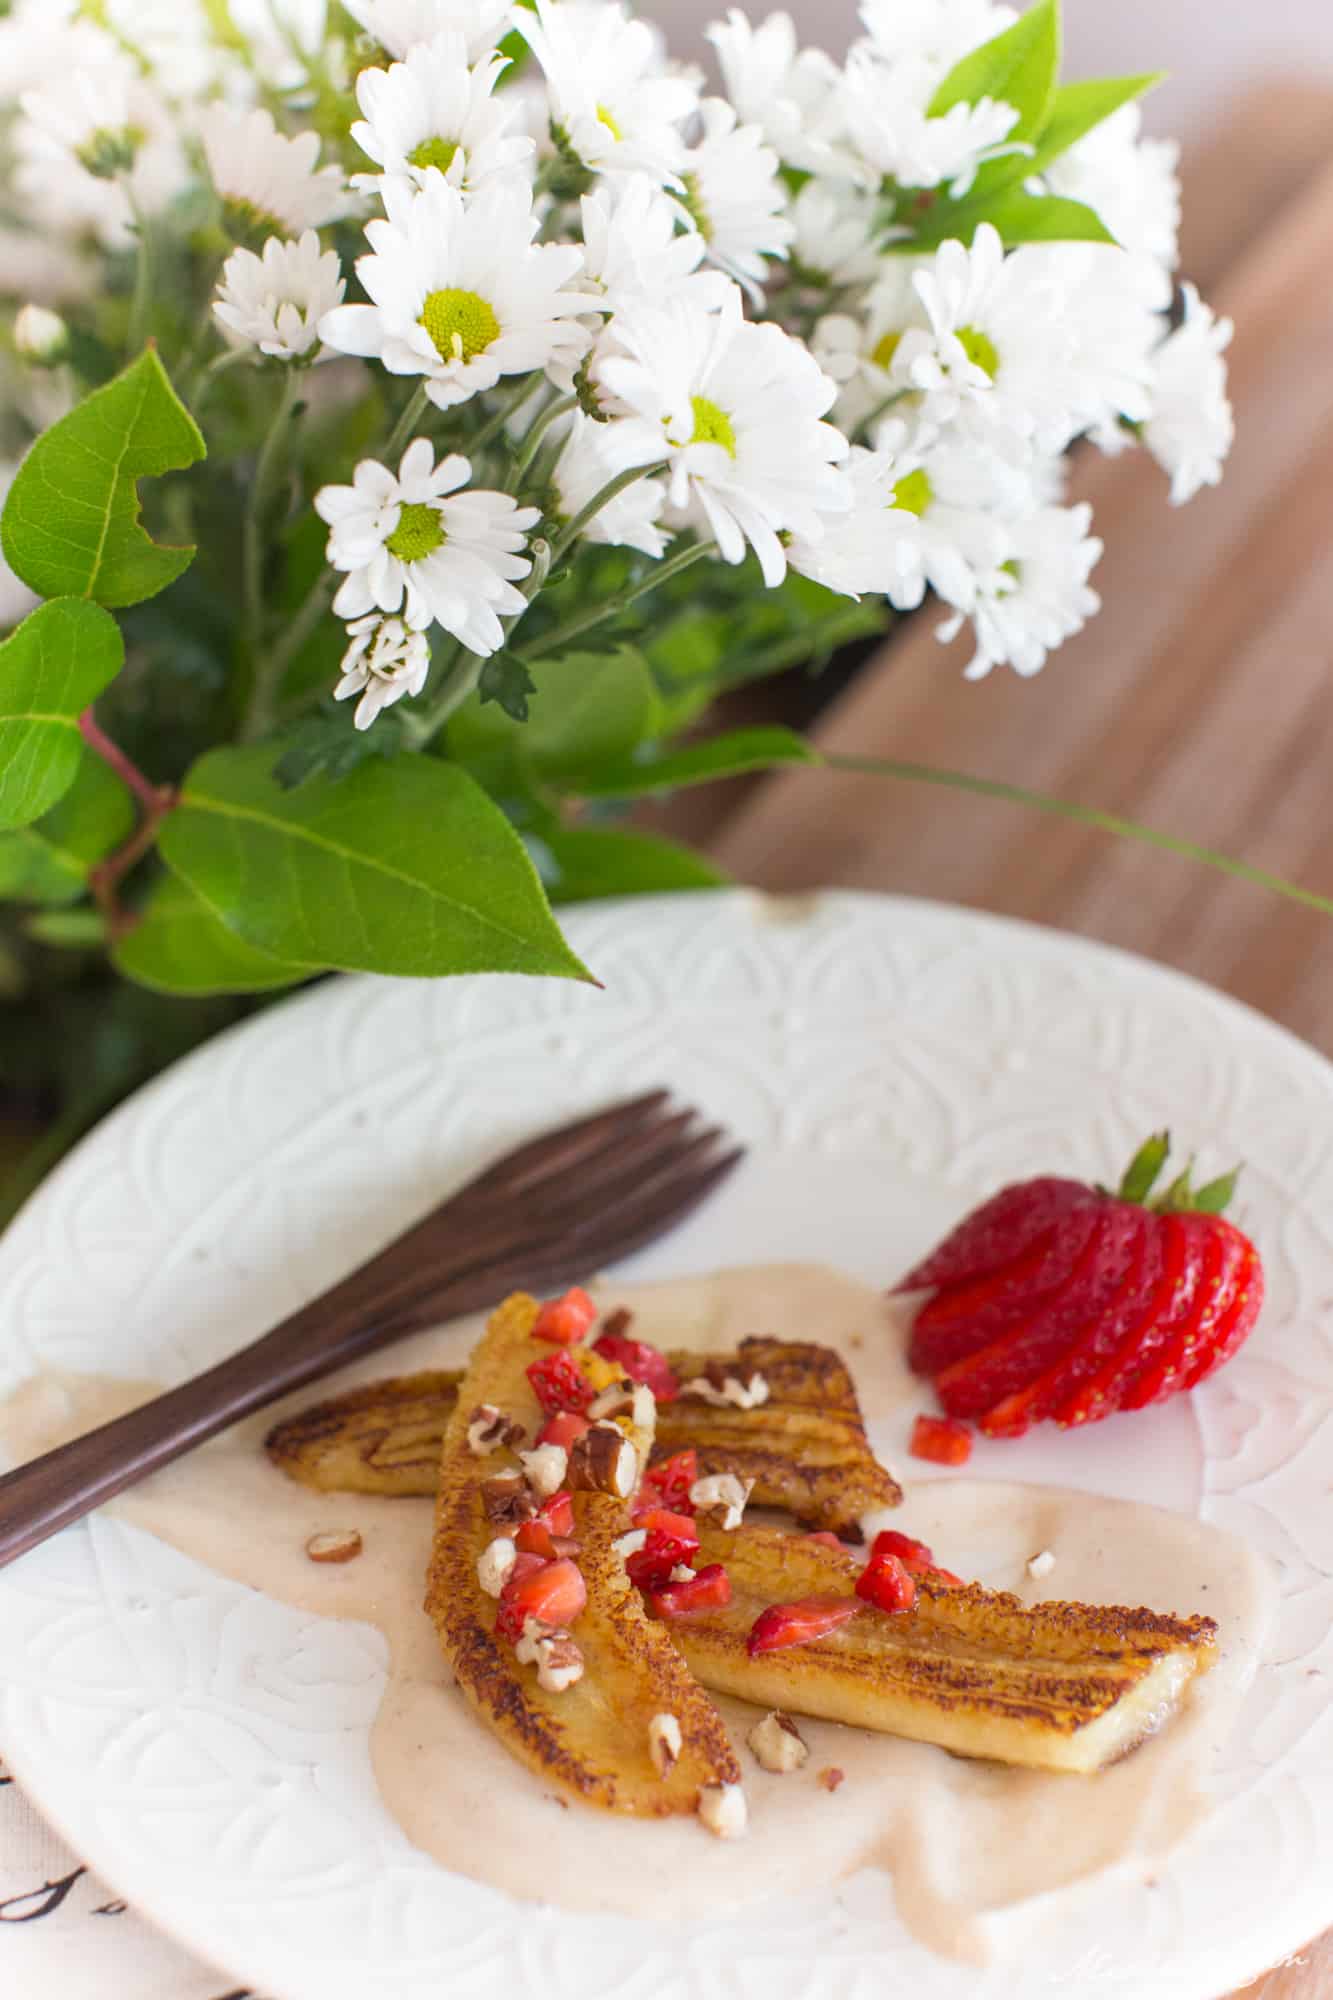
point(1056, 1687)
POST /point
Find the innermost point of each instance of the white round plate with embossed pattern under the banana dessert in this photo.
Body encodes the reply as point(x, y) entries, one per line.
point(888, 1061)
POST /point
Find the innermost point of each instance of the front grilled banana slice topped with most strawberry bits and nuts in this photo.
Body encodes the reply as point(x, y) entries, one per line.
point(605, 1737)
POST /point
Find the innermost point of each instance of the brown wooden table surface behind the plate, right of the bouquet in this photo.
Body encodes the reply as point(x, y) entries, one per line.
point(1198, 701)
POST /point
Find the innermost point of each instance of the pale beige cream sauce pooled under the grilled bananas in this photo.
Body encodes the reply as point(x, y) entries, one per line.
point(968, 1845)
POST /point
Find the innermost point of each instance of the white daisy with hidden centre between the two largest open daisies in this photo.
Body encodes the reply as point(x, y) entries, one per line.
point(637, 253)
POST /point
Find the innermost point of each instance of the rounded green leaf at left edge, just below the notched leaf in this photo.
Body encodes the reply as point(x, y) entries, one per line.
point(51, 671)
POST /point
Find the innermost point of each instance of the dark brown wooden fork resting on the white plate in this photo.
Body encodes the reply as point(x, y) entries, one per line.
point(543, 1217)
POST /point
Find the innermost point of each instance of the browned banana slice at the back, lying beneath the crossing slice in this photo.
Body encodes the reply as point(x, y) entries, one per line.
point(804, 1445)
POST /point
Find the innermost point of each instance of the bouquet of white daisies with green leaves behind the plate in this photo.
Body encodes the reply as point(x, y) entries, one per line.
point(519, 385)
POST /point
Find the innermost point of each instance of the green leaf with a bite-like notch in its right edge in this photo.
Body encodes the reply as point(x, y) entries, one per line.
point(71, 525)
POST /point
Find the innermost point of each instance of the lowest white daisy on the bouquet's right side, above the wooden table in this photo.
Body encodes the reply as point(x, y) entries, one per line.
point(1042, 595)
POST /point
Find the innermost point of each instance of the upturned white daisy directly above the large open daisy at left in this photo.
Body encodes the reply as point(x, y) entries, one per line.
point(433, 115)
